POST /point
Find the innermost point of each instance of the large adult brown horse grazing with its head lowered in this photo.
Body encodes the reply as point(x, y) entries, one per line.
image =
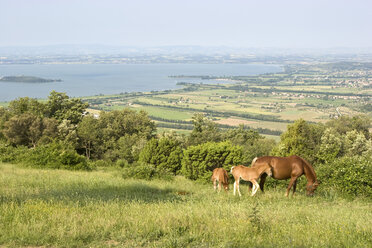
point(288, 167)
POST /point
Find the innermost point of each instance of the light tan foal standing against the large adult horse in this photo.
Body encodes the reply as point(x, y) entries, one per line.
point(249, 174)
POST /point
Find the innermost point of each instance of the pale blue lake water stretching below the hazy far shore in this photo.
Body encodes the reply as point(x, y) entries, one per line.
point(93, 79)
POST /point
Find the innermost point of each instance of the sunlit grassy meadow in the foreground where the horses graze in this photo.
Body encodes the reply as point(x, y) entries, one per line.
point(58, 208)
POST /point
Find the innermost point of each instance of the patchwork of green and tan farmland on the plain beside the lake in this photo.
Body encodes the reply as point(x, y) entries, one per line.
point(315, 93)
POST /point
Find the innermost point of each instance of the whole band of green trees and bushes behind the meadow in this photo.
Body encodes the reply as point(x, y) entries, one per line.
point(59, 133)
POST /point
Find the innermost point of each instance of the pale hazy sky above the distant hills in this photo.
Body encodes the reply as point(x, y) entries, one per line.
point(237, 23)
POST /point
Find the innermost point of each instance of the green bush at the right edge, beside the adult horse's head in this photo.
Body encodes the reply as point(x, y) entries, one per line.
point(348, 175)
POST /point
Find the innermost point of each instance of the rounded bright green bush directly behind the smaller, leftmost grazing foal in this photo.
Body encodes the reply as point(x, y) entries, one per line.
point(199, 161)
